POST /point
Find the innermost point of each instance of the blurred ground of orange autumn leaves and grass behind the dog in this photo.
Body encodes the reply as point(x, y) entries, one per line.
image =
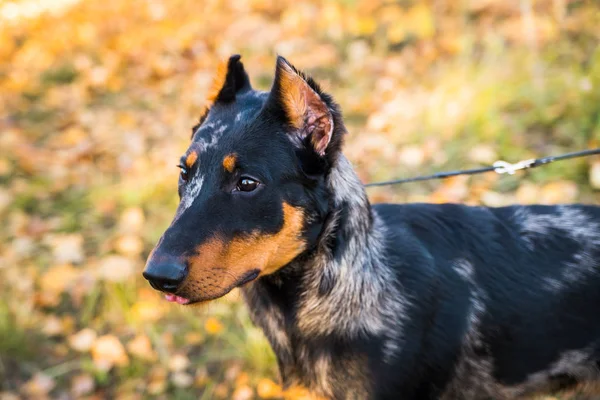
point(97, 101)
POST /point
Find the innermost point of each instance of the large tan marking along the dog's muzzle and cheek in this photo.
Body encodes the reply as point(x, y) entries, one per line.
point(218, 265)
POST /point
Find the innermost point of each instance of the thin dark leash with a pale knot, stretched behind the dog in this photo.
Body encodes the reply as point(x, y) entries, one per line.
point(499, 167)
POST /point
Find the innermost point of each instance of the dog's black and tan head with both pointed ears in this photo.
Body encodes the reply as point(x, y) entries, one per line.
point(252, 187)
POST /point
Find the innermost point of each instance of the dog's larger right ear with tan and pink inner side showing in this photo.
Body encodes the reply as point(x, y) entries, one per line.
point(298, 100)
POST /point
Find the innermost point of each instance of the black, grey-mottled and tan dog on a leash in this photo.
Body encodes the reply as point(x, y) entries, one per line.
point(385, 301)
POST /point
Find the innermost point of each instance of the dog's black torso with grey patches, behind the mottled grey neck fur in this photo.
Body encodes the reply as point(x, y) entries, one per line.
point(502, 301)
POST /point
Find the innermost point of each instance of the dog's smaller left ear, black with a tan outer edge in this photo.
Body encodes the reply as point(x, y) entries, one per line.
point(231, 78)
